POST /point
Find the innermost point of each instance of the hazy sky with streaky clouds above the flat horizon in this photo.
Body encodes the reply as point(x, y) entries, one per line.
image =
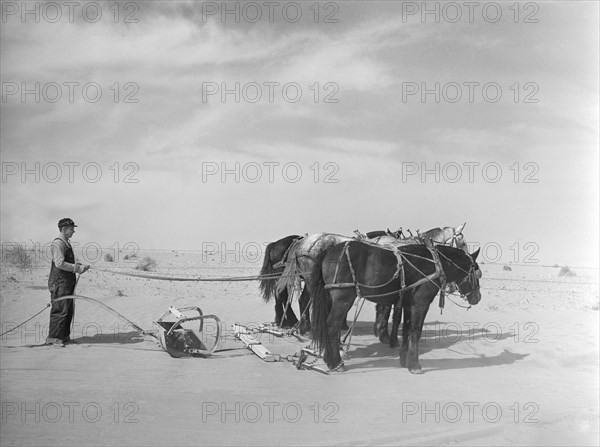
point(177, 125)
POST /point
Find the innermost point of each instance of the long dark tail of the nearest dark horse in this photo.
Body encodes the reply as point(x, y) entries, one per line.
point(321, 304)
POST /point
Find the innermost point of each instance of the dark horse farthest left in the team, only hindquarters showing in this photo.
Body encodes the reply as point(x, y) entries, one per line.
point(273, 264)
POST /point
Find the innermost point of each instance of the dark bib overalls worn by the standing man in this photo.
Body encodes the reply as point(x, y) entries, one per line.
point(61, 283)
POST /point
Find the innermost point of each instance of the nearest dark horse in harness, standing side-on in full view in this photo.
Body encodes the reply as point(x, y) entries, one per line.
point(379, 274)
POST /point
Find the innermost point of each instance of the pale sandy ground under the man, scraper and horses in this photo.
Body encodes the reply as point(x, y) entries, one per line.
point(522, 367)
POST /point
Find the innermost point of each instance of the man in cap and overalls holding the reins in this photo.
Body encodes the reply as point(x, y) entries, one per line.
point(61, 282)
